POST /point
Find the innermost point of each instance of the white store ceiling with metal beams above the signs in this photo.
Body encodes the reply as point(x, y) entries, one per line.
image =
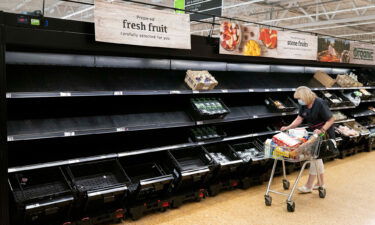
point(352, 19)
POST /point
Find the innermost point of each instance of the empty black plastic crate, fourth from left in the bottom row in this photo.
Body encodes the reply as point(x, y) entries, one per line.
point(193, 167)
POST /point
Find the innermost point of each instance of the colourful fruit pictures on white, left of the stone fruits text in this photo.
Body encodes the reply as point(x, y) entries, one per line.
point(238, 39)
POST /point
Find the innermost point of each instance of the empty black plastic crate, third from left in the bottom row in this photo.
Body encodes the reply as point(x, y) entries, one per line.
point(150, 174)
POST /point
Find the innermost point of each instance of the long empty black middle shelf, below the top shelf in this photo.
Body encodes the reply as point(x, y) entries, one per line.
point(20, 130)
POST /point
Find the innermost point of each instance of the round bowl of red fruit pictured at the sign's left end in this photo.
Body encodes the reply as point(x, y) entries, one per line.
point(230, 35)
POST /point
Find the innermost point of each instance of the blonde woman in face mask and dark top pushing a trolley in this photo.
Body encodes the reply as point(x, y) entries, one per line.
point(315, 112)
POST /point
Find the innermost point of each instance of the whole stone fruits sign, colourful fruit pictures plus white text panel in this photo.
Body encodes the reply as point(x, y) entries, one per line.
point(237, 39)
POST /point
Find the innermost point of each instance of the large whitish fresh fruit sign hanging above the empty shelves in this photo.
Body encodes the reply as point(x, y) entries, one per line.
point(116, 22)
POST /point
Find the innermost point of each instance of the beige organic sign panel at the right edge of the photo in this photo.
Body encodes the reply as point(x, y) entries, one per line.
point(362, 53)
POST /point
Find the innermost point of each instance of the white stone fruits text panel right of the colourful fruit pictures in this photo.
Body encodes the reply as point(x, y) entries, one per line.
point(297, 46)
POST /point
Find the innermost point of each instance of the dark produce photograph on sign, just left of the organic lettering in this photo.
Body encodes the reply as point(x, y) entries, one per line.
point(333, 50)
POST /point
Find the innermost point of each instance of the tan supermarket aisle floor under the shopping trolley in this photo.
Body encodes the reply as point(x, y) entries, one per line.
point(349, 201)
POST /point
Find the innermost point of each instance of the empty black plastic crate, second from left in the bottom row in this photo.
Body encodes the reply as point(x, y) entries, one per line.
point(102, 185)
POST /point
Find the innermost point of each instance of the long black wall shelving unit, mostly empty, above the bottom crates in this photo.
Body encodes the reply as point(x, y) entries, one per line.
point(57, 85)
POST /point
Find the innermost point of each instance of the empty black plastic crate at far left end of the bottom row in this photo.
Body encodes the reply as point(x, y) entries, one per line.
point(41, 196)
